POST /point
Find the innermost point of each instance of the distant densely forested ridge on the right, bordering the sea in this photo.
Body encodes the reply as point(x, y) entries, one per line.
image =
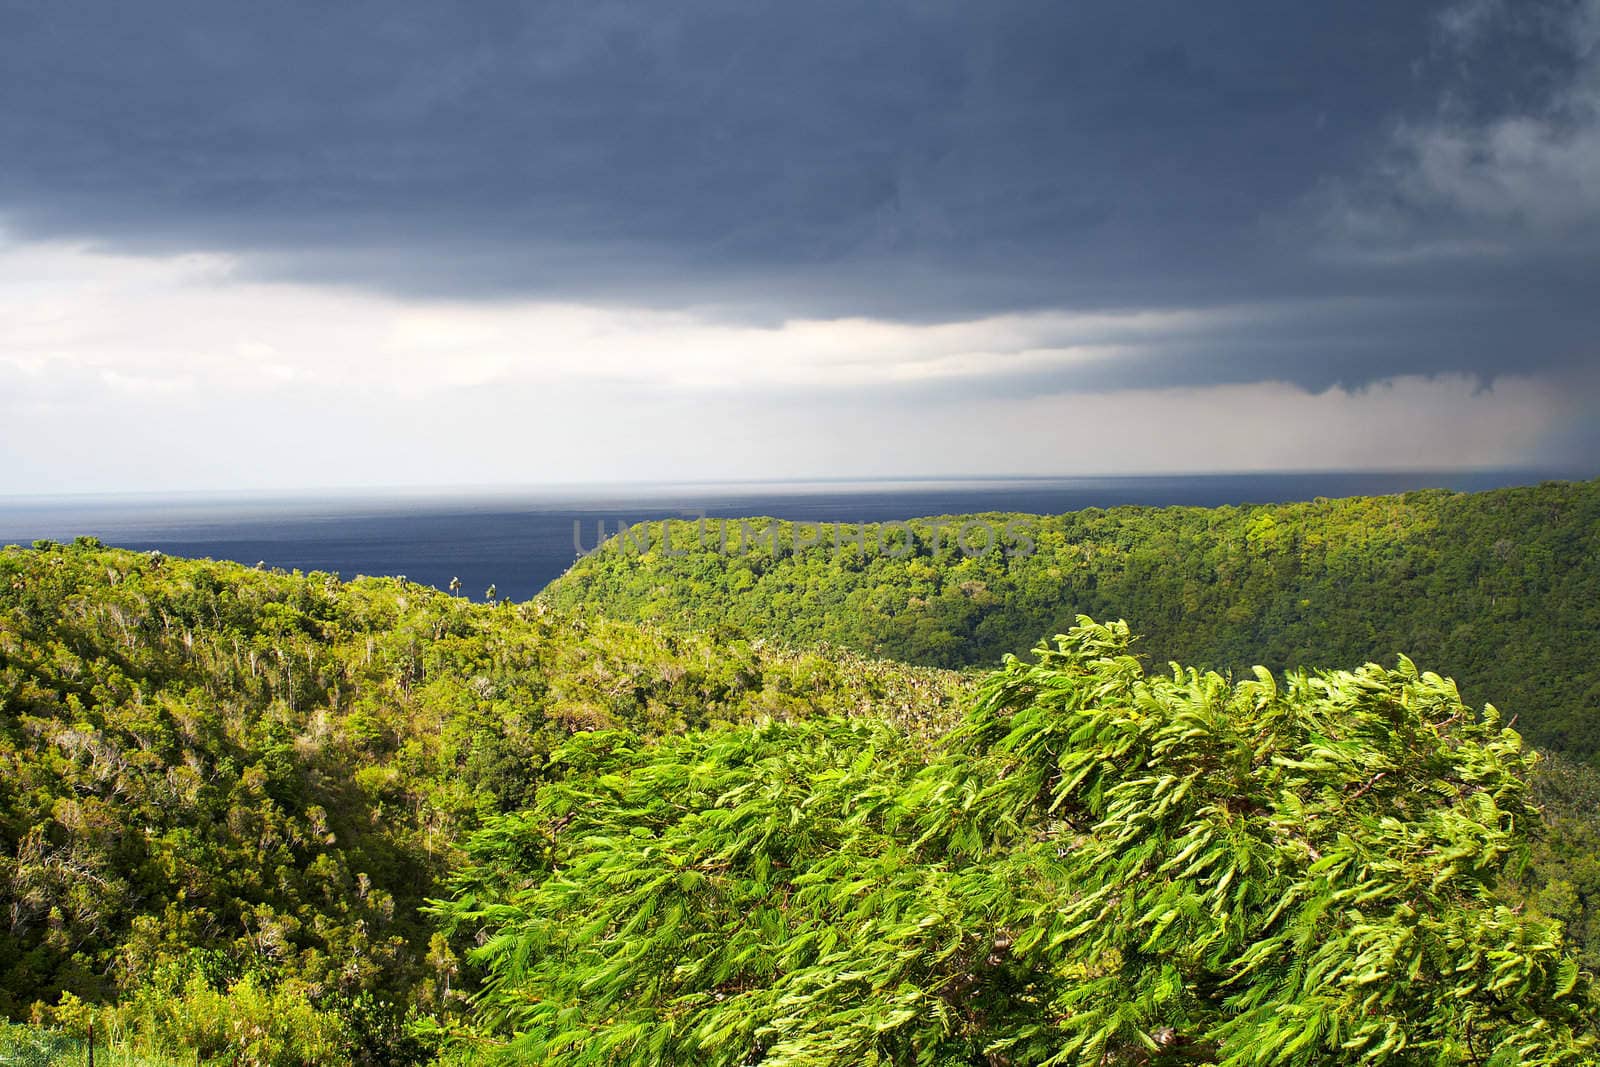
point(1495, 588)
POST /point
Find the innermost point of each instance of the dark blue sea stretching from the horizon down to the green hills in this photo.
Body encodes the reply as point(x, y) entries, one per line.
point(522, 540)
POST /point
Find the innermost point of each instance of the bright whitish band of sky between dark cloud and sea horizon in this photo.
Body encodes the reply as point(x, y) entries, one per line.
point(134, 372)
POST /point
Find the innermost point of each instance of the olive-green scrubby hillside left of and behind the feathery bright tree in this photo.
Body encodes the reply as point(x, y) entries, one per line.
point(278, 770)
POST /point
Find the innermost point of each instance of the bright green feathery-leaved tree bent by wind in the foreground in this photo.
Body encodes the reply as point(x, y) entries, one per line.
point(1098, 866)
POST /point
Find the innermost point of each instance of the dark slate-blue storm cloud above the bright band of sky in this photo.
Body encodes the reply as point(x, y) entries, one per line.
point(913, 161)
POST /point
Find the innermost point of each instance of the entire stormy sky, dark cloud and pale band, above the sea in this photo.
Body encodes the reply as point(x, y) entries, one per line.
point(252, 246)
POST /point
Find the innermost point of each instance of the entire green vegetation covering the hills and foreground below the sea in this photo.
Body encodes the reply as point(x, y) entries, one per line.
point(750, 805)
